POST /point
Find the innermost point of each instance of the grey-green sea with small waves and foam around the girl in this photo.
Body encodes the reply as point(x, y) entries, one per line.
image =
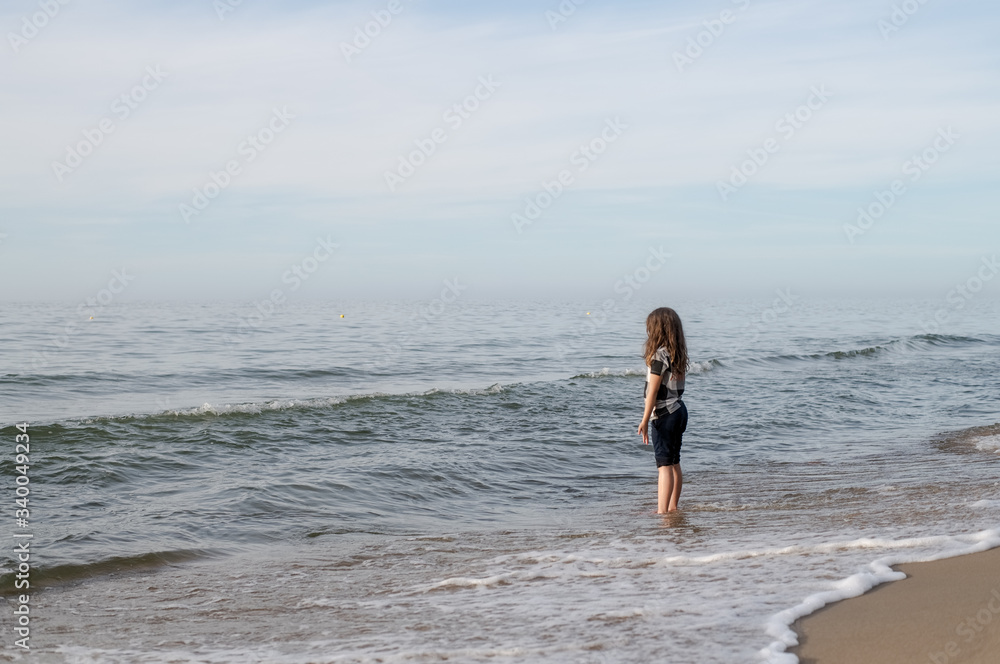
point(462, 481)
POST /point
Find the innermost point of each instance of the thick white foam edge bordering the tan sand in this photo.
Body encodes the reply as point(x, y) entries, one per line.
point(779, 627)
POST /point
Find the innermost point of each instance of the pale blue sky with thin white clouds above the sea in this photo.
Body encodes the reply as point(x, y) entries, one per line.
point(540, 149)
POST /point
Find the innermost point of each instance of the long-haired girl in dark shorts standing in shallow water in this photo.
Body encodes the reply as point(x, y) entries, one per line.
point(666, 359)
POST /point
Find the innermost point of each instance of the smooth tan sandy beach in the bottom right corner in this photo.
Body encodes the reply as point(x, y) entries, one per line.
point(944, 612)
